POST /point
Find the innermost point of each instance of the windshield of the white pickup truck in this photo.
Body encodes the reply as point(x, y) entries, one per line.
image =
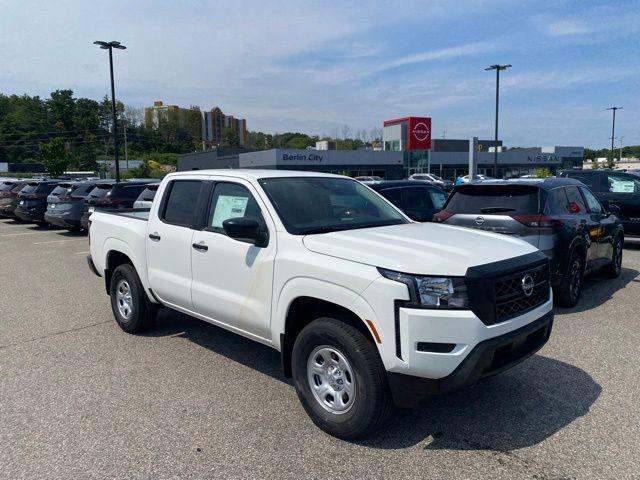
point(309, 205)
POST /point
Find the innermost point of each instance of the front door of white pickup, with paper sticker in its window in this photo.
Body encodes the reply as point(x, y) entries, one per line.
point(232, 279)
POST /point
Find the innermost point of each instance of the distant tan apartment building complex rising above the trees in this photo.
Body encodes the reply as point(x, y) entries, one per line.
point(207, 127)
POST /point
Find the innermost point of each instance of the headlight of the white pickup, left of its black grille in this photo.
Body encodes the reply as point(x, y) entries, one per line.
point(435, 292)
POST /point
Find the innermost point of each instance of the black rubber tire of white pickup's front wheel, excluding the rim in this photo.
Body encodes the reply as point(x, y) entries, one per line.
point(371, 404)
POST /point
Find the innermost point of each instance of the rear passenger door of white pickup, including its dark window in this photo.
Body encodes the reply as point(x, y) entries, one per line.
point(169, 239)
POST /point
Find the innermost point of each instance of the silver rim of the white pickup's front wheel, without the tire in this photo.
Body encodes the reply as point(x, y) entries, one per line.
point(331, 379)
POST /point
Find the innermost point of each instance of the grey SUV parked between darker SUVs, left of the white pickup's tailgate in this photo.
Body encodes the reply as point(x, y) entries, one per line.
point(66, 209)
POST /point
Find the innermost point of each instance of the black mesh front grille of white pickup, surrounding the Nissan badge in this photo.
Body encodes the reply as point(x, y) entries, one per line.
point(510, 297)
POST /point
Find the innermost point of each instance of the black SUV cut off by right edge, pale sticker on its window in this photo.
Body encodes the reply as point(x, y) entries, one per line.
point(614, 188)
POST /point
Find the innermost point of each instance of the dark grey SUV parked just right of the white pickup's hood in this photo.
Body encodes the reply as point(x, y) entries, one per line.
point(561, 217)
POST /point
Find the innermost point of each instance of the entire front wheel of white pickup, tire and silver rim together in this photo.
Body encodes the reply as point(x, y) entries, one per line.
point(340, 379)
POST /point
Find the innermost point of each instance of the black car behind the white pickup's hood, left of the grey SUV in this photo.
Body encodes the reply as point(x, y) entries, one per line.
point(418, 200)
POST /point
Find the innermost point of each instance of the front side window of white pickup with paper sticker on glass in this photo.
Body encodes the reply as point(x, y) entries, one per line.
point(232, 200)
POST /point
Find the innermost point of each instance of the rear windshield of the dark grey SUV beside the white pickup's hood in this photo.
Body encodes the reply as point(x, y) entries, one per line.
point(496, 199)
